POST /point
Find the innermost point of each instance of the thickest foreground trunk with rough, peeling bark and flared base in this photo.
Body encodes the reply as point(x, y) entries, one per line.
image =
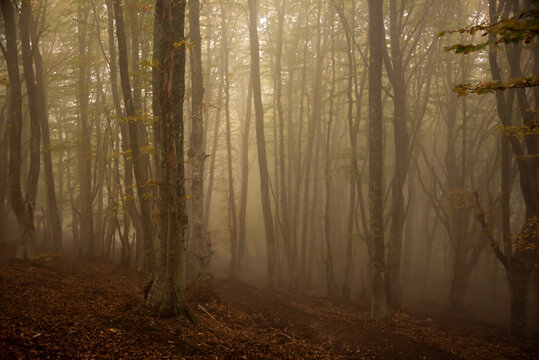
point(167, 292)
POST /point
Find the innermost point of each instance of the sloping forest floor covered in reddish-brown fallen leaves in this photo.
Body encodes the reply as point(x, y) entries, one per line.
point(59, 308)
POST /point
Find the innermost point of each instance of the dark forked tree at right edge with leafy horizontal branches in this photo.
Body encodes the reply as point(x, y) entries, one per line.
point(521, 259)
